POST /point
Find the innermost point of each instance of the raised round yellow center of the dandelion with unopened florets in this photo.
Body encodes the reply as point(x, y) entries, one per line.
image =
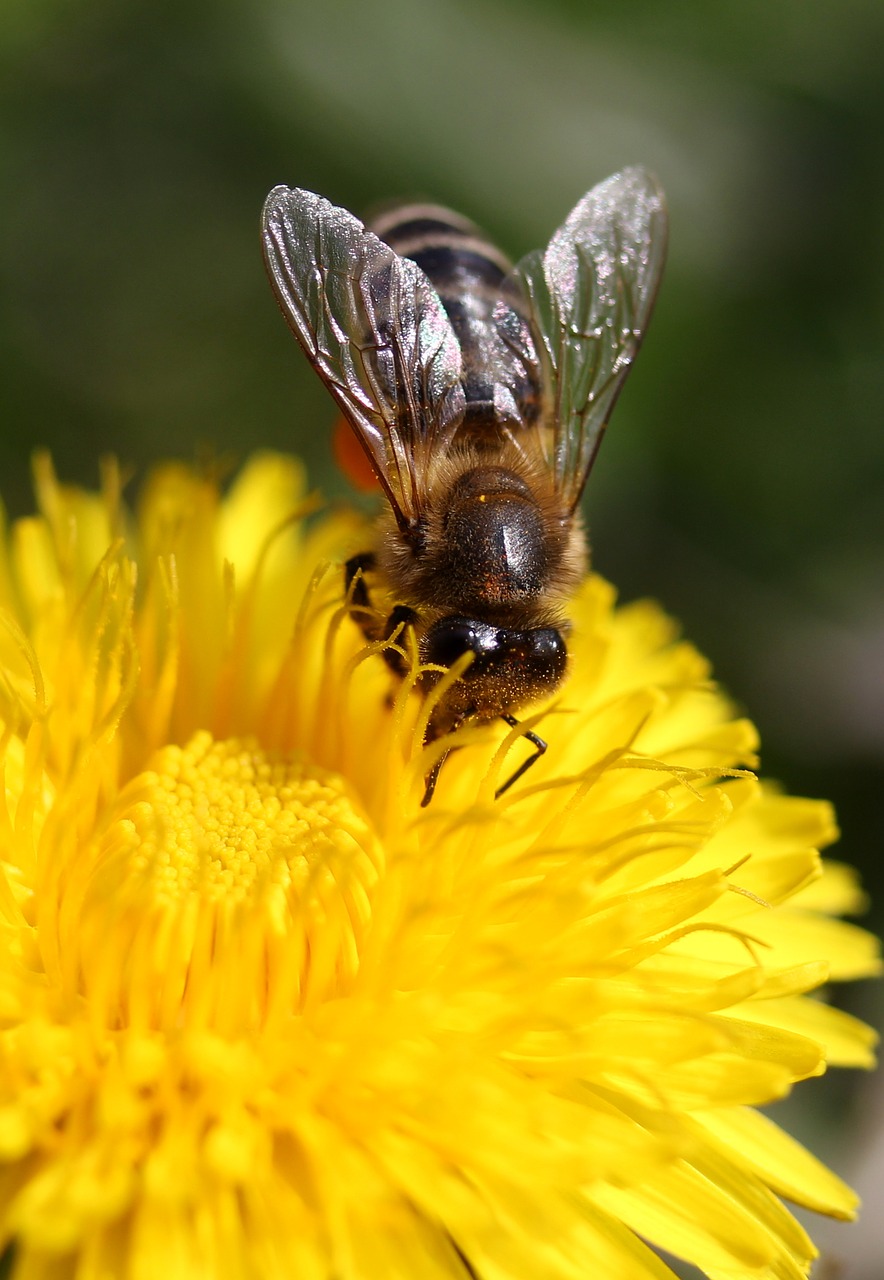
point(230, 881)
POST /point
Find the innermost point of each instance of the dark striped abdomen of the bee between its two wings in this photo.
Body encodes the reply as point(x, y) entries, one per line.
point(468, 272)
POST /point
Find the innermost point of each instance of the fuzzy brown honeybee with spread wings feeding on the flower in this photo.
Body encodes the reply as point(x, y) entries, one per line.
point(479, 394)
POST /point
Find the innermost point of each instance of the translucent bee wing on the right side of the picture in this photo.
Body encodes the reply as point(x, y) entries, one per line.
point(590, 296)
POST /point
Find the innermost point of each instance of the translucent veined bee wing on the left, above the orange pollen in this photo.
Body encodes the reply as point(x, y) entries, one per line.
point(377, 333)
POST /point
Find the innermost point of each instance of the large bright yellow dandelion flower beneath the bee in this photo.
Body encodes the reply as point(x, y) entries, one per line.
point(263, 1016)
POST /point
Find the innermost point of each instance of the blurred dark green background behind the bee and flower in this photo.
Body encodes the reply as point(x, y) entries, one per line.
point(743, 482)
